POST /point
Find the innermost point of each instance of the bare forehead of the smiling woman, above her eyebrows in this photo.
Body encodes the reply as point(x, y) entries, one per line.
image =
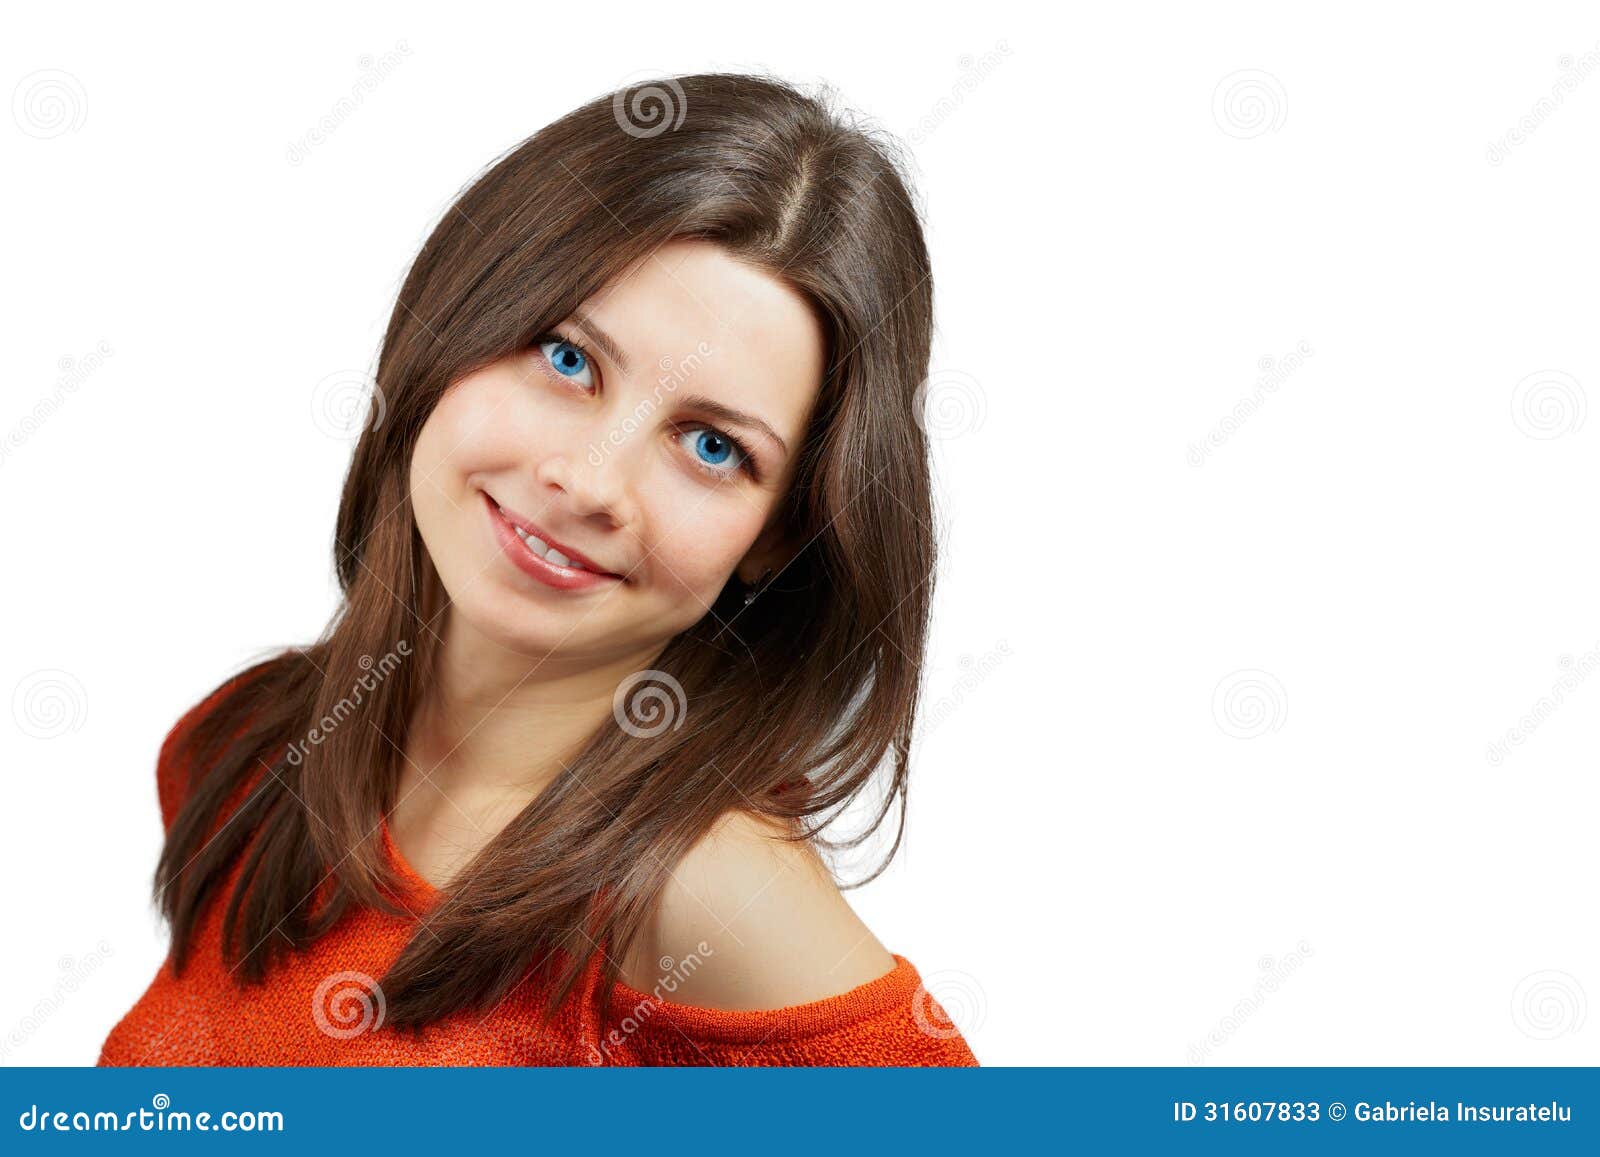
point(766, 345)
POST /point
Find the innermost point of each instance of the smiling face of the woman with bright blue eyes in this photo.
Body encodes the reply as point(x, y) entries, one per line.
point(657, 454)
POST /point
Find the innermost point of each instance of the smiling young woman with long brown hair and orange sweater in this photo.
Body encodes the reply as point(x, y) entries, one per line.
point(638, 561)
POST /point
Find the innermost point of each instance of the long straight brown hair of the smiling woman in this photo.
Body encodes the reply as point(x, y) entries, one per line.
point(817, 679)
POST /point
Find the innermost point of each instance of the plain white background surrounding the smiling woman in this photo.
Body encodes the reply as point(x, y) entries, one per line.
point(1116, 838)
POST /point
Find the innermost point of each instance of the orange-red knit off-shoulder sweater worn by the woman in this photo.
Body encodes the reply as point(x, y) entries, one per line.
point(326, 1006)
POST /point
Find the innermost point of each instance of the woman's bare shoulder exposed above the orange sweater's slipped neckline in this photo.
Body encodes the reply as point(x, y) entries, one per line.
point(762, 921)
